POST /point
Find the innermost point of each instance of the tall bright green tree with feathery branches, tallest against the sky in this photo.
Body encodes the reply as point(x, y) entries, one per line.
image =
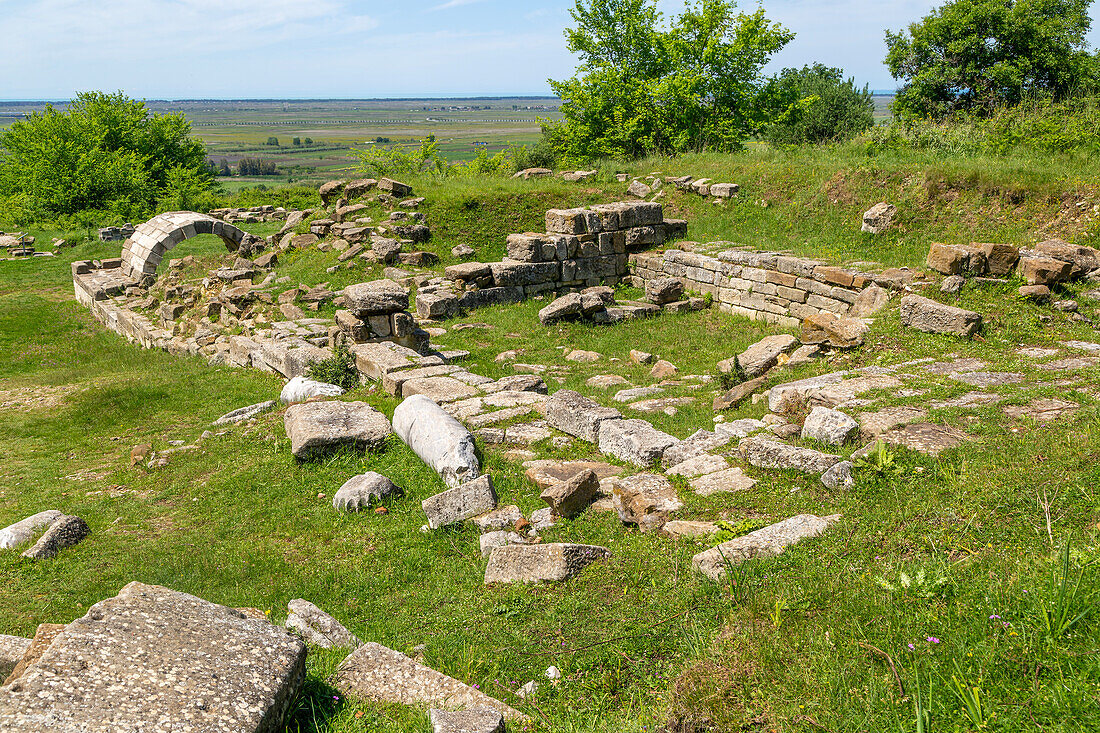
point(645, 87)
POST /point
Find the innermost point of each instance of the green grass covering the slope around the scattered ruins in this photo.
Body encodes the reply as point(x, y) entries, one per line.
point(640, 639)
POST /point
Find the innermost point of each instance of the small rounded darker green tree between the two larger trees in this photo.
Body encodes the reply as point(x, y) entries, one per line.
point(822, 106)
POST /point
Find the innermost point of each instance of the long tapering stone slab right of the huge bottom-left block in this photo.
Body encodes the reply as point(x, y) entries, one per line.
point(376, 673)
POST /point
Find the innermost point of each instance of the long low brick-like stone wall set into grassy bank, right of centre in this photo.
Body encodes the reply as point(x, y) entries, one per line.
point(769, 287)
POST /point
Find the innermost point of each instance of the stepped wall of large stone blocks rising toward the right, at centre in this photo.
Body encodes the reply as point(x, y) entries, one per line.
point(581, 248)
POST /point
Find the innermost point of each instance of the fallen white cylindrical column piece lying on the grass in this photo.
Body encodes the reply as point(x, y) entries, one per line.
point(439, 440)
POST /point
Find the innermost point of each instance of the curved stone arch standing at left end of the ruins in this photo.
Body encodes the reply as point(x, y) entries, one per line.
point(151, 242)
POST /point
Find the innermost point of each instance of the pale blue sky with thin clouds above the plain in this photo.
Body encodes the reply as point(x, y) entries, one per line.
point(350, 49)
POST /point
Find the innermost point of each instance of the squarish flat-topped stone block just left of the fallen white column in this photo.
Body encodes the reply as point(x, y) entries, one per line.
point(318, 428)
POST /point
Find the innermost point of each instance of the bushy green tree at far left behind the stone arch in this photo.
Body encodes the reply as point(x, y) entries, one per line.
point(105, 152)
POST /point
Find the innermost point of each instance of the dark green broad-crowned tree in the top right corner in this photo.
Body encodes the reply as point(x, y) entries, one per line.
point(977, 56)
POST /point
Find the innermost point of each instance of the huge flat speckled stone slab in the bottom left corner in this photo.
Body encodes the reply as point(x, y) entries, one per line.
point(151, 659)
